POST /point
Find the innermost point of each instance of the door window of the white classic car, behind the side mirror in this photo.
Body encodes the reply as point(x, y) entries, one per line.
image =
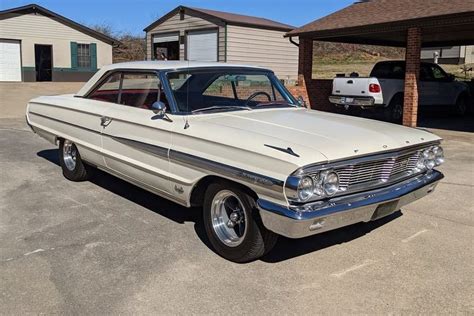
point(140, 90)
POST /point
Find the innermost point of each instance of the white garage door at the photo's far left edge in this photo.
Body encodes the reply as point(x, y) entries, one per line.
point(10, 61)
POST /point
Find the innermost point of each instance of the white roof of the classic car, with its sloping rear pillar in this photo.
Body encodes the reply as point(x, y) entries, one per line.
point(158, 65)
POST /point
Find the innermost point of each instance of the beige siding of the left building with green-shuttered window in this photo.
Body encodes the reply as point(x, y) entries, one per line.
point(31, 29)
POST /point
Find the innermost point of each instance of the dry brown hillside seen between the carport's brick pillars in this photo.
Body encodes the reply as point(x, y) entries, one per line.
point(335, 53)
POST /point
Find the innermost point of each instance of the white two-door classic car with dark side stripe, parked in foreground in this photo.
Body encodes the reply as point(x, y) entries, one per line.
point(233, 140)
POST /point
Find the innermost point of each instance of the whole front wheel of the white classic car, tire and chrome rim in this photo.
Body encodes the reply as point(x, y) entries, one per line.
point(232, 224)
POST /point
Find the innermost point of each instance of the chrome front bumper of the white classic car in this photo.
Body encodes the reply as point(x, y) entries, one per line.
point(318, 217)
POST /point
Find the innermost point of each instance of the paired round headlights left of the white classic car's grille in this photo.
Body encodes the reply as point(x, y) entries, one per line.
point(319, 185)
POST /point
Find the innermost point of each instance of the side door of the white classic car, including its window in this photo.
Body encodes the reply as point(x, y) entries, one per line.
point(135, 141)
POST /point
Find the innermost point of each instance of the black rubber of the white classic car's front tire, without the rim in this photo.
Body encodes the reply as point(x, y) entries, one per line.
point(256, 242)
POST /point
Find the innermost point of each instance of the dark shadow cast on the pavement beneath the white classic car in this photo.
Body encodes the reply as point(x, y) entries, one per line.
point(285, 248)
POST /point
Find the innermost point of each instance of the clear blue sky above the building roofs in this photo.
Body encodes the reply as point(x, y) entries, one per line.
point(133, 15)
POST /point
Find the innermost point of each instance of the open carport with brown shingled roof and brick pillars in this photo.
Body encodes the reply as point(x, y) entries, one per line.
point(412, 24)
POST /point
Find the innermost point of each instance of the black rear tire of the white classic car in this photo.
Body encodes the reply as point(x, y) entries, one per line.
point(77, 172)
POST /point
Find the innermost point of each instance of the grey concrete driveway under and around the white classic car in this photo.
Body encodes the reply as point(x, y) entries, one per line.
point(107, 247)
